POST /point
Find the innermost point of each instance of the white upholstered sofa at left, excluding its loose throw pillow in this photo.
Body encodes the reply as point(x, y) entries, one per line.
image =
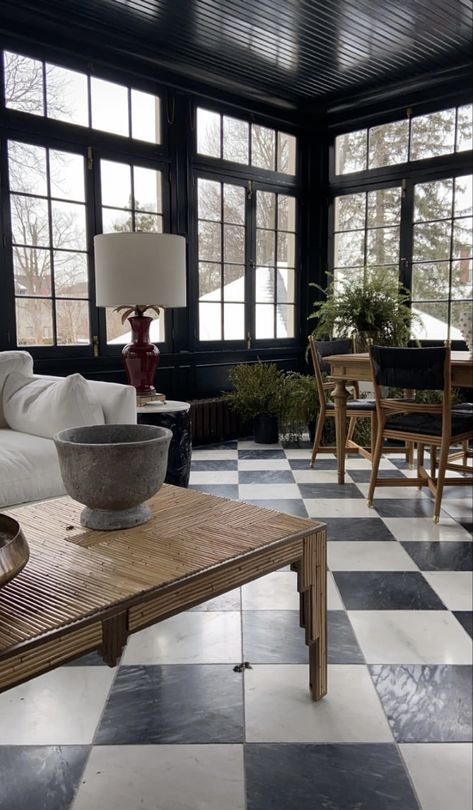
point(29, 468)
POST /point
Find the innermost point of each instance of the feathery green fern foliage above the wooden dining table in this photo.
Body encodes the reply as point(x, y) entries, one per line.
point(375, 308)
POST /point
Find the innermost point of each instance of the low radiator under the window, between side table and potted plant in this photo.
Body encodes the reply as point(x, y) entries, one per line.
point(214, 421)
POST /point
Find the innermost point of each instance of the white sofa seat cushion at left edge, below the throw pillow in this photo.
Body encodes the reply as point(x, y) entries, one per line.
point(29, 468)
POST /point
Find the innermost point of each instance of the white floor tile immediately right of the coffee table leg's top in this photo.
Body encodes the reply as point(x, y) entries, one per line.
point(368, 555)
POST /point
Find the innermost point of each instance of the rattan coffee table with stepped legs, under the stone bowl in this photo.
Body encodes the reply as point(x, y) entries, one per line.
point(85, 590)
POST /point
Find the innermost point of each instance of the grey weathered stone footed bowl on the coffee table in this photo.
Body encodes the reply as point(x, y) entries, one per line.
point(112, 470)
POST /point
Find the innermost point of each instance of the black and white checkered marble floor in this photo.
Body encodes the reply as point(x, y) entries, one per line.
point(174, 727)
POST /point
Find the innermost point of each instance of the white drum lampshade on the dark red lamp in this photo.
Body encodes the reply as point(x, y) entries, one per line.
point(140, 268)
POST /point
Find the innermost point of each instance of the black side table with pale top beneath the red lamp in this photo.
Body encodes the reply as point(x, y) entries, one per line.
point(175, 416)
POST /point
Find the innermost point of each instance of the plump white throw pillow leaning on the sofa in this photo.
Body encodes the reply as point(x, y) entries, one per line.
point(42, 407)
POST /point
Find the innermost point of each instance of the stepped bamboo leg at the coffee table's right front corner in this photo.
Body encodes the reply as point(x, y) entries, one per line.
point(311, 583)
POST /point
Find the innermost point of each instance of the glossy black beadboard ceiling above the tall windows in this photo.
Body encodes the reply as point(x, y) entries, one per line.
point(290, 52)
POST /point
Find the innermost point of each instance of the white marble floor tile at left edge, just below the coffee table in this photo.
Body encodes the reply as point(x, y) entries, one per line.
point(61, 707)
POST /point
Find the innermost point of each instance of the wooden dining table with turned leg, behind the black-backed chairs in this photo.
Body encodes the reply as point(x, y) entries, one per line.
point(356, 367)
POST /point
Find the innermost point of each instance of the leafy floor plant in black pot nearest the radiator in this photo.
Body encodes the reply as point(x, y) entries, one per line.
point(258, 394)
